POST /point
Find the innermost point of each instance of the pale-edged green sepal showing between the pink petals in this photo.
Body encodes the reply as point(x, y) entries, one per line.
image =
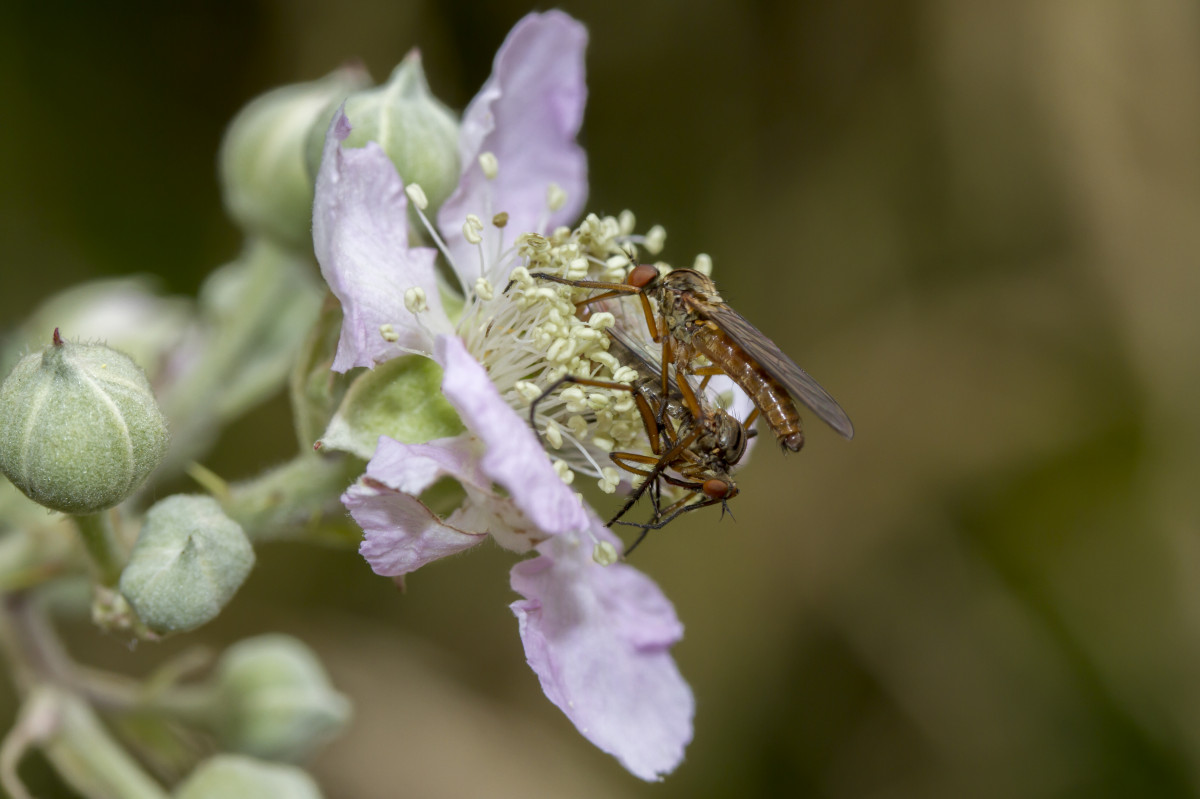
point(401, 399)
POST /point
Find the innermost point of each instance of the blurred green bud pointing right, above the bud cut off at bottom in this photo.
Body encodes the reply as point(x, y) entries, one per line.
point(275, 700)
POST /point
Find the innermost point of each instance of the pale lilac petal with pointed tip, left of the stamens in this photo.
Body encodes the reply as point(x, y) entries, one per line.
point(361, 237)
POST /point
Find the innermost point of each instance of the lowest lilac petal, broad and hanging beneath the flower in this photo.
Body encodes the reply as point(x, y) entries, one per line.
point(599, 640)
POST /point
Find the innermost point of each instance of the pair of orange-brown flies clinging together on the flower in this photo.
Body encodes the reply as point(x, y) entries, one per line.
point(703, 337)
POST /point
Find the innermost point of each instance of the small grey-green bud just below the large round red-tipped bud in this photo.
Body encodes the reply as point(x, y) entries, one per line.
point(189, 562)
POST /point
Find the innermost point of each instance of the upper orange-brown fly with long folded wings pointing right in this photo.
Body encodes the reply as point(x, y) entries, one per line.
point(694, 322)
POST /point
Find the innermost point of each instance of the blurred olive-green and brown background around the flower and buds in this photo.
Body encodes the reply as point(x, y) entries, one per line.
point(975, 223)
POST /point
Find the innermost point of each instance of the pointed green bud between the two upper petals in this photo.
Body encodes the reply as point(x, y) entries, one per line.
point(417, 131)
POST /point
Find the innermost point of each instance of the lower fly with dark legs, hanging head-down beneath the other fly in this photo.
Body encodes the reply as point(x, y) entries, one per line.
point(694, 446)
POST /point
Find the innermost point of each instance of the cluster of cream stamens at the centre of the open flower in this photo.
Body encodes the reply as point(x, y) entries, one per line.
point(526, 332)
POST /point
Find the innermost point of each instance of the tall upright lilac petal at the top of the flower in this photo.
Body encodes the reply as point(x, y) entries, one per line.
point(527, 116)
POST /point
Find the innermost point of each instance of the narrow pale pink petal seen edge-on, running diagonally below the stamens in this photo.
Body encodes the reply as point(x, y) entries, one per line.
point(514, 456)
